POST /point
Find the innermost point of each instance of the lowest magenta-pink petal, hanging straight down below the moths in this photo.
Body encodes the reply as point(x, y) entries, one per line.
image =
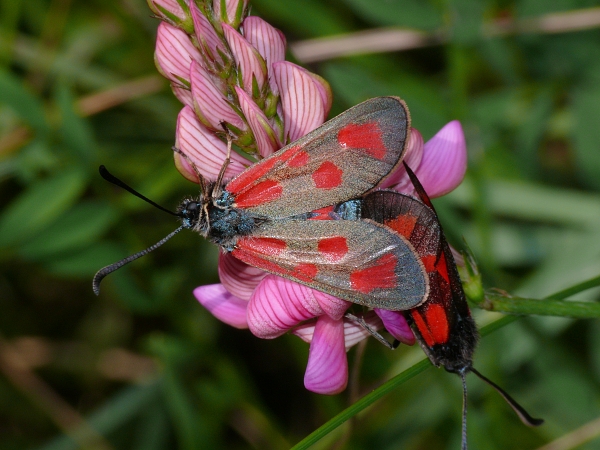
point(327, 367)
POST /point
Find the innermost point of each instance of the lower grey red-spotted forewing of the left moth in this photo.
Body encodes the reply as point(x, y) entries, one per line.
point(358, 261)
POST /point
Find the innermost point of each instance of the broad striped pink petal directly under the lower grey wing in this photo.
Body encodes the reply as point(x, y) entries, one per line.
point(277, 305)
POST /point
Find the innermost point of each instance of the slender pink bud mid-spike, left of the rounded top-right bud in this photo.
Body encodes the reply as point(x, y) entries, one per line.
point(250, 63)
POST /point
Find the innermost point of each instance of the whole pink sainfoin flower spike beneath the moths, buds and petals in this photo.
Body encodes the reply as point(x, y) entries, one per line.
point(229, 72)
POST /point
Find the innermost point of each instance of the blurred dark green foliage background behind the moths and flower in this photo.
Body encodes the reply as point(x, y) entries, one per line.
point(145, 367)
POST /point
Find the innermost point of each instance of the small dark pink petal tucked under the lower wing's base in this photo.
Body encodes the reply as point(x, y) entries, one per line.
point(238, 277)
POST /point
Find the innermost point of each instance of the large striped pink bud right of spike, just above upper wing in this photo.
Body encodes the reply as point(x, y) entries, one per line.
point(303, 106)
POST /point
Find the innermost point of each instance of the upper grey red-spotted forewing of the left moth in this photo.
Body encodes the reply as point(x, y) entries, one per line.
point(342, 159)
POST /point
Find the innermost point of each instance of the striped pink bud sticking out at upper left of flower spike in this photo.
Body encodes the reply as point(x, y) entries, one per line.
point(174, 53)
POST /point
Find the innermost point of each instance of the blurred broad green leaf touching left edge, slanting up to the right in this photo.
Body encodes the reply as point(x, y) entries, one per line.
point(39, 205)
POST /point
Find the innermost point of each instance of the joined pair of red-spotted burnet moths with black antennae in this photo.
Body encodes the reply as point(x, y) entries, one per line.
point(310, 213)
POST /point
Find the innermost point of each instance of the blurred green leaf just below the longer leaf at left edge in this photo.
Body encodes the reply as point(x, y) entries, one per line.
point(78, 227)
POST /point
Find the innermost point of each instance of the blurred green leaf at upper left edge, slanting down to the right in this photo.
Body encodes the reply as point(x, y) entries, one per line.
point(14, 94)
